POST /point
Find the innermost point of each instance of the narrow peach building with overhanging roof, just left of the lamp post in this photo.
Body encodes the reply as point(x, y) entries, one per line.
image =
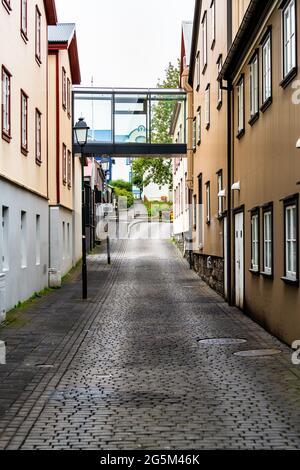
point(64, 173)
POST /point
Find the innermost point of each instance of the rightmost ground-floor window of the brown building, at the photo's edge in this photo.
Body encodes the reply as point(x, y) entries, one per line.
point(291, 240)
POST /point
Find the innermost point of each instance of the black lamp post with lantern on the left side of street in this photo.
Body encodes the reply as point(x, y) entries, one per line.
point(81, 134)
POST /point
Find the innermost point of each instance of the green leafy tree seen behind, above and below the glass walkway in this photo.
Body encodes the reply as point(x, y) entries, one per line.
point(159, 170)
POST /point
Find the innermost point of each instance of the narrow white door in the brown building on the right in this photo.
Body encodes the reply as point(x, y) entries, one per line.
point(239, 260)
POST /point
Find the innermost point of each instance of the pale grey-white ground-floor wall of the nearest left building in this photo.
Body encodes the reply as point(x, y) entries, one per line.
point(22, 282)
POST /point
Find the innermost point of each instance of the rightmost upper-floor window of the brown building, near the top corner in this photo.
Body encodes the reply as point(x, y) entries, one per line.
point(289, 38)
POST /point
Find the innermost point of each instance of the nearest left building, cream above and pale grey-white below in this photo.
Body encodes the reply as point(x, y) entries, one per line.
point(23, 148)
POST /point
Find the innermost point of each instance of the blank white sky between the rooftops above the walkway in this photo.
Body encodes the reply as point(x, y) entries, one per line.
point(126, 43)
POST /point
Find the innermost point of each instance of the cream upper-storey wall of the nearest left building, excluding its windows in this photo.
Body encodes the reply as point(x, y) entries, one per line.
point(18, 57)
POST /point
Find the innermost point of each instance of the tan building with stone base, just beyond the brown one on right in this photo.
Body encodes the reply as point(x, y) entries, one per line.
point(210, 44)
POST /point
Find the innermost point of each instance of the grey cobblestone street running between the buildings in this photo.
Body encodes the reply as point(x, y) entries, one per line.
point(126, 370)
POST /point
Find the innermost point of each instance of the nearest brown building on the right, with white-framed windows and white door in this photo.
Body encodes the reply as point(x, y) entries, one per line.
point(262, 75)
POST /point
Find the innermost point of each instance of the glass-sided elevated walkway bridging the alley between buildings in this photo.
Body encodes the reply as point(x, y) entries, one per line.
point(129, 122)
